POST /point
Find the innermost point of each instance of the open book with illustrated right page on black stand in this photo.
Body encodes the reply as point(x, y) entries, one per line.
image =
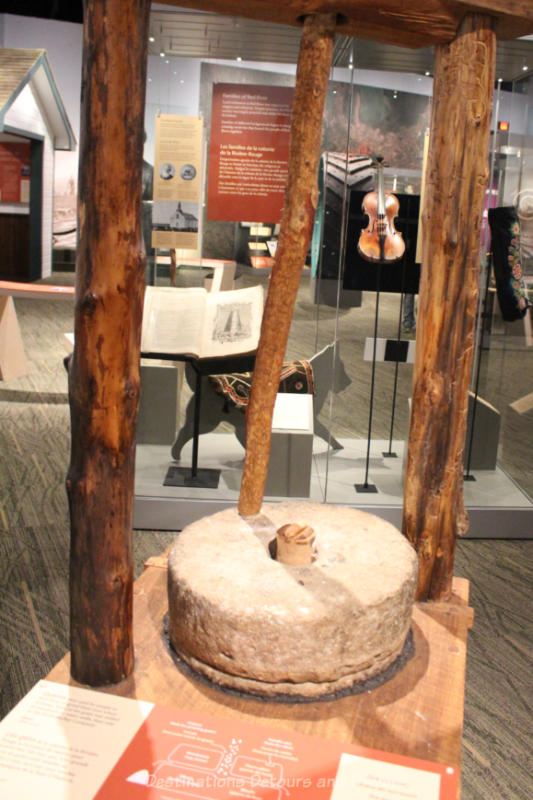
point(200, 323)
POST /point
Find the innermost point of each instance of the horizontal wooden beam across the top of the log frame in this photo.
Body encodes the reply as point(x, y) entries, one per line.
point(397, 22)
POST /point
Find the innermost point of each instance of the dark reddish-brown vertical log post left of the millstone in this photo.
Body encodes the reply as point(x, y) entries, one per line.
point(104, 368)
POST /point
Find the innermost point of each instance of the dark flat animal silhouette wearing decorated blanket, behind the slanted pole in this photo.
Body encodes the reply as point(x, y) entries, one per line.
point(214, 410)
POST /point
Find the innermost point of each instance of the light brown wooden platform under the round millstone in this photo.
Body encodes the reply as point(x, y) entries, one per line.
point(419, 712)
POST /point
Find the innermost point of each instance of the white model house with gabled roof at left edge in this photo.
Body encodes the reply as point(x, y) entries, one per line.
point(33, 124)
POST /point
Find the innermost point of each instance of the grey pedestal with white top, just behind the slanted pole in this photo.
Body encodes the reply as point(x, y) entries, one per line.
point(291, 450)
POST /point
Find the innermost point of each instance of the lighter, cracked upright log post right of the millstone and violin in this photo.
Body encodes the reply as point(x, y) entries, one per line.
point(456, 180)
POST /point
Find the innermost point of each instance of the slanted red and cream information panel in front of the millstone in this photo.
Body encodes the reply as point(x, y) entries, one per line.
point(63, 741)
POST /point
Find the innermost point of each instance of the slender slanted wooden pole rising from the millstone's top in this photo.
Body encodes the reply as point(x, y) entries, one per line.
point(301, 197)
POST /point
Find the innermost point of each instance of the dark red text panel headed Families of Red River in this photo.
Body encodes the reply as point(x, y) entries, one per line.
point(248, 152)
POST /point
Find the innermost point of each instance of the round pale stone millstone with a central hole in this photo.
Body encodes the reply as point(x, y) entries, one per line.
point(251, 623)
